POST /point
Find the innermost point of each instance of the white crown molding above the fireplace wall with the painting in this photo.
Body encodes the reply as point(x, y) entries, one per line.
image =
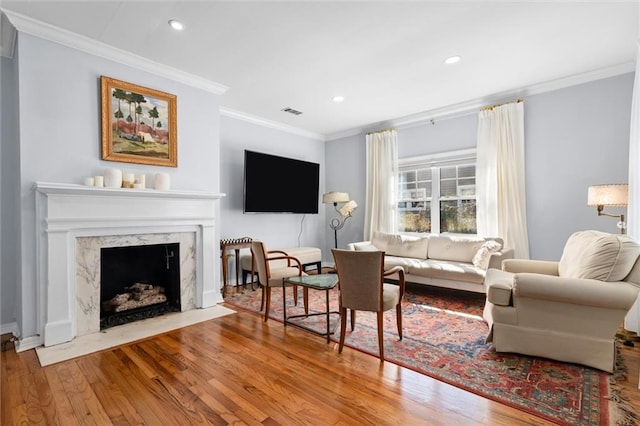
point(49, 32)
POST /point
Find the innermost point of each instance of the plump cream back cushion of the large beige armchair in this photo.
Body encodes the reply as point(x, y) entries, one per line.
point(598, 255)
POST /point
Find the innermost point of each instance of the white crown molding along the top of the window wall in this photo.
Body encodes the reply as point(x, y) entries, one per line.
point(474, 105)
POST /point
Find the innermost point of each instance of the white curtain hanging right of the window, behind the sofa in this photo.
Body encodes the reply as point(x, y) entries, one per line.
point(500, 179)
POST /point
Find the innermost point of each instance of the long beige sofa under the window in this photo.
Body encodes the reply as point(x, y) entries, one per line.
point(439, 260)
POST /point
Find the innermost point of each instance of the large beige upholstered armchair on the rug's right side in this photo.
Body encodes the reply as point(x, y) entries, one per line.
point(568, 310)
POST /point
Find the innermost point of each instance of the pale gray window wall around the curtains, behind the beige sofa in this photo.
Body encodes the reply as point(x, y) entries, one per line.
point(574, 137)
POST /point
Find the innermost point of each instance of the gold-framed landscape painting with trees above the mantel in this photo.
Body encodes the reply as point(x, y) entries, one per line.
point(138, 124)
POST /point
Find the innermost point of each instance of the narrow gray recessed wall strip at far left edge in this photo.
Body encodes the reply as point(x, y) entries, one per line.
point(9, 195)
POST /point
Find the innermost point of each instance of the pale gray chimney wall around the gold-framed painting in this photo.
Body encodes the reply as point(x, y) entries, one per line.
point(59, 137)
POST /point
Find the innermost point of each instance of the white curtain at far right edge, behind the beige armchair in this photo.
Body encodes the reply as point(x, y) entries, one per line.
point(632, 320)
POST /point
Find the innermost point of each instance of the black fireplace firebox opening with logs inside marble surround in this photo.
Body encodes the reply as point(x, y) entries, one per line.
point(138, 282)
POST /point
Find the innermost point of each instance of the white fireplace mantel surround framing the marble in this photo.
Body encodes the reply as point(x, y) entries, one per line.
point(65, 212)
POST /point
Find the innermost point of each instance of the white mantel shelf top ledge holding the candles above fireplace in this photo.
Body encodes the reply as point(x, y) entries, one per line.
point(74, 189)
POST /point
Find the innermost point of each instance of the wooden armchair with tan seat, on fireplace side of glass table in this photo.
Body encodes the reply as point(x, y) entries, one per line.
point(272, 276)
